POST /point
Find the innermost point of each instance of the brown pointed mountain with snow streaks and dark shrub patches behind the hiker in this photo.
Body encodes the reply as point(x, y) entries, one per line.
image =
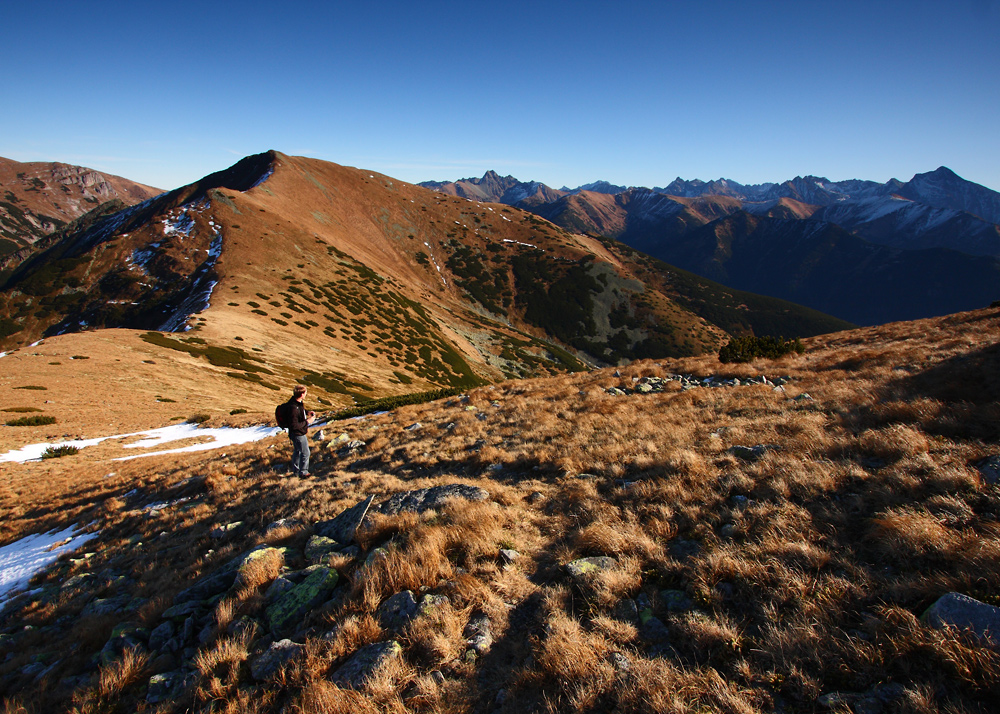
point(349, 276)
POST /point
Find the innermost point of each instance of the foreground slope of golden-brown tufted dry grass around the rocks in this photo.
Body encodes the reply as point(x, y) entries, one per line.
point(784, 582)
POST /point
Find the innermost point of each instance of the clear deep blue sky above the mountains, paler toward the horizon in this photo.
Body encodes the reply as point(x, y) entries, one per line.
point(635, 93)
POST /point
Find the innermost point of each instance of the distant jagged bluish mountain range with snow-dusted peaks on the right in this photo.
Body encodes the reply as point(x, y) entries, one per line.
point(864, 251)
